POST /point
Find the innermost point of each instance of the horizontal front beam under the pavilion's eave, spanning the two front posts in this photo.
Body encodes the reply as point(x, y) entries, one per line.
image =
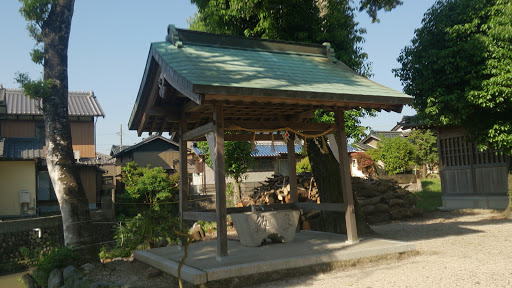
point(298, 126)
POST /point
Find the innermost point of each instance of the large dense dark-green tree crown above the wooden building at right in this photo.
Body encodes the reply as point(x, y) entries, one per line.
point(459, 68)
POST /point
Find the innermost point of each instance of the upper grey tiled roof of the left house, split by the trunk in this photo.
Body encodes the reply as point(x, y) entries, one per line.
point(79, 104)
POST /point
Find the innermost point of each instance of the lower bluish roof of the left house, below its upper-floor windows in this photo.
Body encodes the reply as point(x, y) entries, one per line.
point(21, 148)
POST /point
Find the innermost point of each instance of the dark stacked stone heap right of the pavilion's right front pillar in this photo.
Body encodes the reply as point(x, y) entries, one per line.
point(383, 200)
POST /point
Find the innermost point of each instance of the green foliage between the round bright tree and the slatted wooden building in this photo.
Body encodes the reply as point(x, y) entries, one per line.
point(425, 147)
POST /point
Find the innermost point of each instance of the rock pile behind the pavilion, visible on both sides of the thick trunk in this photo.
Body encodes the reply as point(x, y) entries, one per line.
point(380, 200)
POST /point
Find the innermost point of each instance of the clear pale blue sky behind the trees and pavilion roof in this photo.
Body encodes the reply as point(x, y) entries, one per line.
point(110, 41)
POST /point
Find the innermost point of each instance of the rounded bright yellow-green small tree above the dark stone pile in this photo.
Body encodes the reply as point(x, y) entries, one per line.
point(396, 153)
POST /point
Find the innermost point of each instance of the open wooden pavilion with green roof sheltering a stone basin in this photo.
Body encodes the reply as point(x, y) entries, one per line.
point(198, 83)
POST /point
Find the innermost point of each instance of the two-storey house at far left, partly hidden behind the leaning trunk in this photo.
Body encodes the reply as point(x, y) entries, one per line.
point(24, 180)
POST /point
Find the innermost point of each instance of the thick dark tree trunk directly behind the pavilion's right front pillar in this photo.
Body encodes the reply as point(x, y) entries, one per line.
point(326, 171)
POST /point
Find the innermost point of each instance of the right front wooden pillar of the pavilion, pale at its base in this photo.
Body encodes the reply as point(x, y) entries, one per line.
point(346, 181)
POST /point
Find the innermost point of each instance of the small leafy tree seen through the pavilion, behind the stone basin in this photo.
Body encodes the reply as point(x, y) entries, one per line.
point(238, 161)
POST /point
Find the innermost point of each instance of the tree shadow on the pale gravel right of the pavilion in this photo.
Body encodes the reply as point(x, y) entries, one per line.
point(437, 225)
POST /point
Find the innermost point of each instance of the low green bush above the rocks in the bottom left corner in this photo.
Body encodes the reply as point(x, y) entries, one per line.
point(56, 258)
